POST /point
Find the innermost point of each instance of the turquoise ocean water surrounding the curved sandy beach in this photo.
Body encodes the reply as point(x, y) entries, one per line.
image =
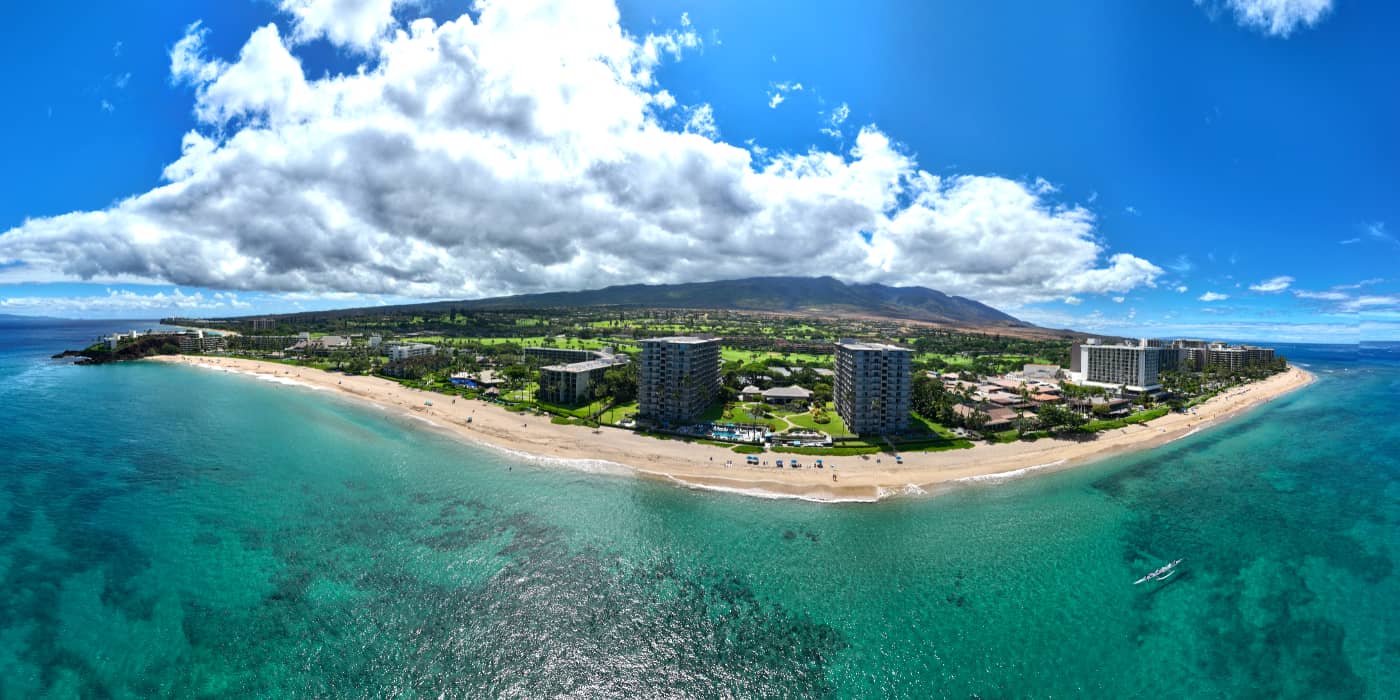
point(169, 531)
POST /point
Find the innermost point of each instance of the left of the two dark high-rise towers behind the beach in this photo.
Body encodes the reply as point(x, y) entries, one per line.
point(680, 377)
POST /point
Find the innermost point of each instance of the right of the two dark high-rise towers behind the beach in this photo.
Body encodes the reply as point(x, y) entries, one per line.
point(873, 387)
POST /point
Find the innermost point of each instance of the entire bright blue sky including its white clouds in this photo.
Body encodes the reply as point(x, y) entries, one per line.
point(1149, 169)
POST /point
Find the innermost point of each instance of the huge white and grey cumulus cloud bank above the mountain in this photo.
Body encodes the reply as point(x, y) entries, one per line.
point(528, 148)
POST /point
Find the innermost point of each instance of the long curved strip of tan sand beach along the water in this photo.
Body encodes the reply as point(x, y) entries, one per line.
point(846, 479)
